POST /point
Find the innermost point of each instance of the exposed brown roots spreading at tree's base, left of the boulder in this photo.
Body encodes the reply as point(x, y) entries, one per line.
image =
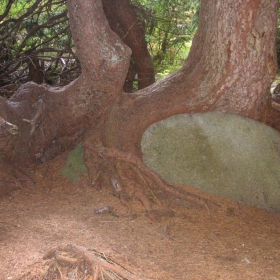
point(131, 178)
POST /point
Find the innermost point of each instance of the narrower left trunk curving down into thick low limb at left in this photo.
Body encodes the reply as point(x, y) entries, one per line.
point(68, 111)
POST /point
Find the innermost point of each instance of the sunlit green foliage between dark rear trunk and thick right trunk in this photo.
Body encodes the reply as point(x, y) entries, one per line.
point(170, 27)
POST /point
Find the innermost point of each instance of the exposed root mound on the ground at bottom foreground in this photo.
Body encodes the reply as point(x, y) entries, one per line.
point(76, 263)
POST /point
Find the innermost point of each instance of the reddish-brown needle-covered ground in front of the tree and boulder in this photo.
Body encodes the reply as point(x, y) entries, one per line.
point(236, 242)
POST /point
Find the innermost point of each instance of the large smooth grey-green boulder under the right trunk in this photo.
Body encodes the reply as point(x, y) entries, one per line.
point(226, 155)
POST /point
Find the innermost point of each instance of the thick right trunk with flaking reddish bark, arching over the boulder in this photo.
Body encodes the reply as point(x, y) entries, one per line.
point(230, 68)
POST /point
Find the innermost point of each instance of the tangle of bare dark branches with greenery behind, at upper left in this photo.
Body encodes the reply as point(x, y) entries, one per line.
point(35, 41)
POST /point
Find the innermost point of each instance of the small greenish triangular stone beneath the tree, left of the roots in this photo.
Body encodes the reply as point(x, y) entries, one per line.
point(75, 166)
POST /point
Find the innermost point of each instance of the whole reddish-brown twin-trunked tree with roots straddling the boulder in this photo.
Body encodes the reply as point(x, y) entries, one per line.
point(230, 68)
